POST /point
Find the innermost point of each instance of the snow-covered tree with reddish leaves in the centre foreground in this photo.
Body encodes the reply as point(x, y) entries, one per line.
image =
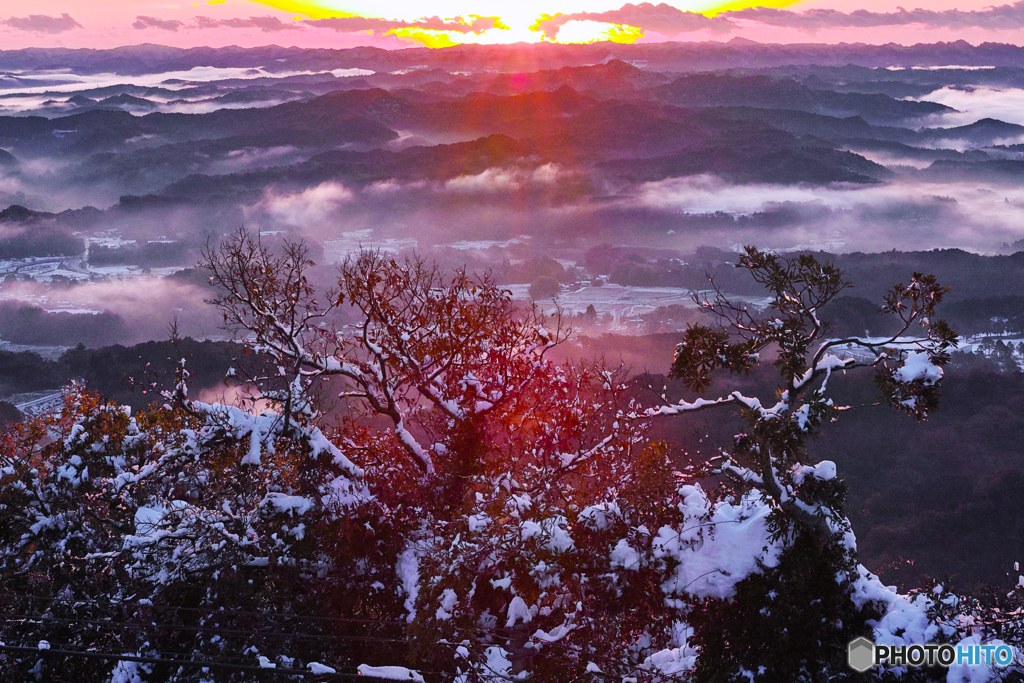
point(503, 473)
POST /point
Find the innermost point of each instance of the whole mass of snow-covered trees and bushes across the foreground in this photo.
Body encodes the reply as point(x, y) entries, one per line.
point(468, 508)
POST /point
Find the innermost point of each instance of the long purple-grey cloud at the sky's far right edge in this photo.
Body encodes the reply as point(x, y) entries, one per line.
point(1002, 18)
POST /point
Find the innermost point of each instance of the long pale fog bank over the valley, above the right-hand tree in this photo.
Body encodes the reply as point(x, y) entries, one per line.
point(905, 216)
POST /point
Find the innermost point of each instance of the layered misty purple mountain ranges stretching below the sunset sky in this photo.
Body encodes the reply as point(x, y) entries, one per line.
point(527, 129)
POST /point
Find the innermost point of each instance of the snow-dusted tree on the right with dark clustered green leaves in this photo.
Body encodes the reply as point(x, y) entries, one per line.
point(803, 599)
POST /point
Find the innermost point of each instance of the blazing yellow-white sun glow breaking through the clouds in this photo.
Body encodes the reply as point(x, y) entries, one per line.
point(518, 22)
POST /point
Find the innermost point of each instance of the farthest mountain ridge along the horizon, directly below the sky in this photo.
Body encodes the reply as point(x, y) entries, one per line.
point(675, 57)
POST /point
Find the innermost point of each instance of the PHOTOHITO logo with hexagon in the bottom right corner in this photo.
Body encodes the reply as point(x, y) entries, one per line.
point(864, 655)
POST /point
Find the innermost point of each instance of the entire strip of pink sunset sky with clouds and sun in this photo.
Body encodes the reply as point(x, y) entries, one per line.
point(394, 24)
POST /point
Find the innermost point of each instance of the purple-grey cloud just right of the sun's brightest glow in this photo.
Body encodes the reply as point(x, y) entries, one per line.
point(662, 19)
